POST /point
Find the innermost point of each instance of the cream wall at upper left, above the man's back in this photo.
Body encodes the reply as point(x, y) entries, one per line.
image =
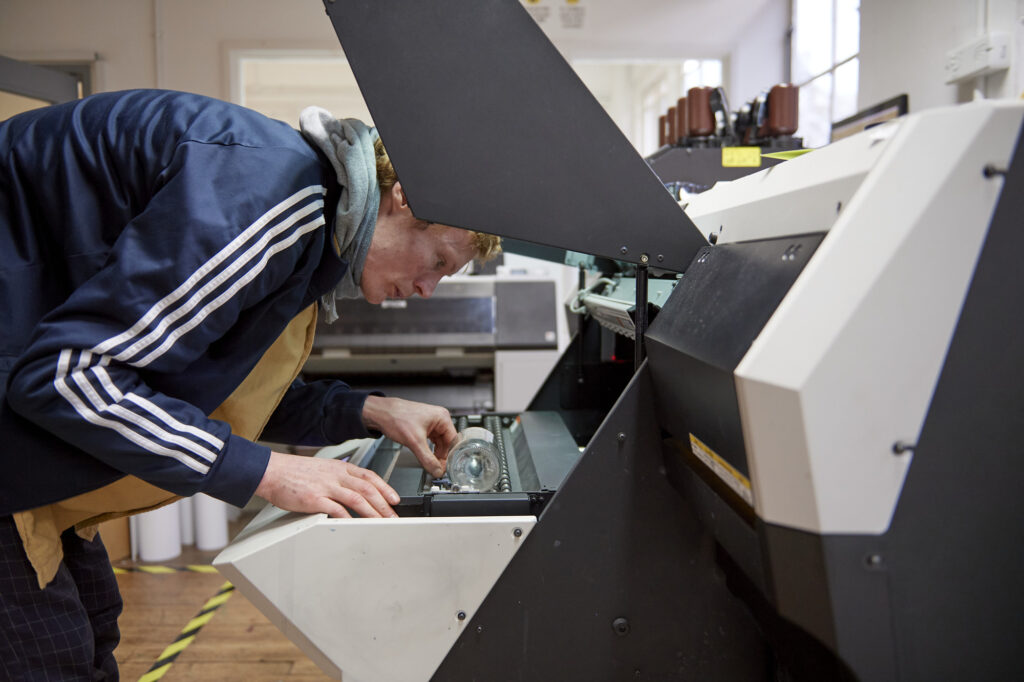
point(178, 45)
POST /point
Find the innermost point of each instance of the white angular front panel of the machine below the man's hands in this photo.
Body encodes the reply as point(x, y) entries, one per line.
point(372, 600)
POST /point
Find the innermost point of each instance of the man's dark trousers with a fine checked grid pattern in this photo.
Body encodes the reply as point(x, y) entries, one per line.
point(68, 631)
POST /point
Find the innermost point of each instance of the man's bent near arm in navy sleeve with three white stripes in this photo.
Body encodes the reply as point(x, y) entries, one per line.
point(214, 241)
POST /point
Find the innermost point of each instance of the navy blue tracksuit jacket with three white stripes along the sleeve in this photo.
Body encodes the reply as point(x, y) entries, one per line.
point(153, 245)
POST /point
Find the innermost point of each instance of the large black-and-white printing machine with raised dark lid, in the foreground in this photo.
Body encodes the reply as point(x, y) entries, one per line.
point(808, 466)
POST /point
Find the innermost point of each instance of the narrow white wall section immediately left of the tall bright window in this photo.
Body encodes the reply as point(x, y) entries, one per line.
point(757, 61)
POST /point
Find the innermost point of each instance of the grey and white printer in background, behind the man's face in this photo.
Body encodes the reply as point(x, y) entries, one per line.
point(480, 344)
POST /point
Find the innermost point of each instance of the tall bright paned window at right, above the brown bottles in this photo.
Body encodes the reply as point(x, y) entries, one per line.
point(826, 65)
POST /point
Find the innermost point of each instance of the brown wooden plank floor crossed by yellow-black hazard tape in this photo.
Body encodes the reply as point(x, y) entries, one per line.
point(238, 645)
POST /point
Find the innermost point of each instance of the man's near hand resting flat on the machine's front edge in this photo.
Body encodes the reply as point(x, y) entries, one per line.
point(314, 486)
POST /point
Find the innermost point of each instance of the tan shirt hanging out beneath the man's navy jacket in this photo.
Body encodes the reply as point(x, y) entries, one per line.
point(247, 410)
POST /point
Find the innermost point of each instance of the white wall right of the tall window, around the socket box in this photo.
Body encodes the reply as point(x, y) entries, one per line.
point(904, 45)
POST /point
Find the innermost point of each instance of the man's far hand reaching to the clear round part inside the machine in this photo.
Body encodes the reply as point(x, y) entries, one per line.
point(413, 424)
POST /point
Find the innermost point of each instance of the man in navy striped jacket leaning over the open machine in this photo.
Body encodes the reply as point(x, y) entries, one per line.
point(163, 261)
